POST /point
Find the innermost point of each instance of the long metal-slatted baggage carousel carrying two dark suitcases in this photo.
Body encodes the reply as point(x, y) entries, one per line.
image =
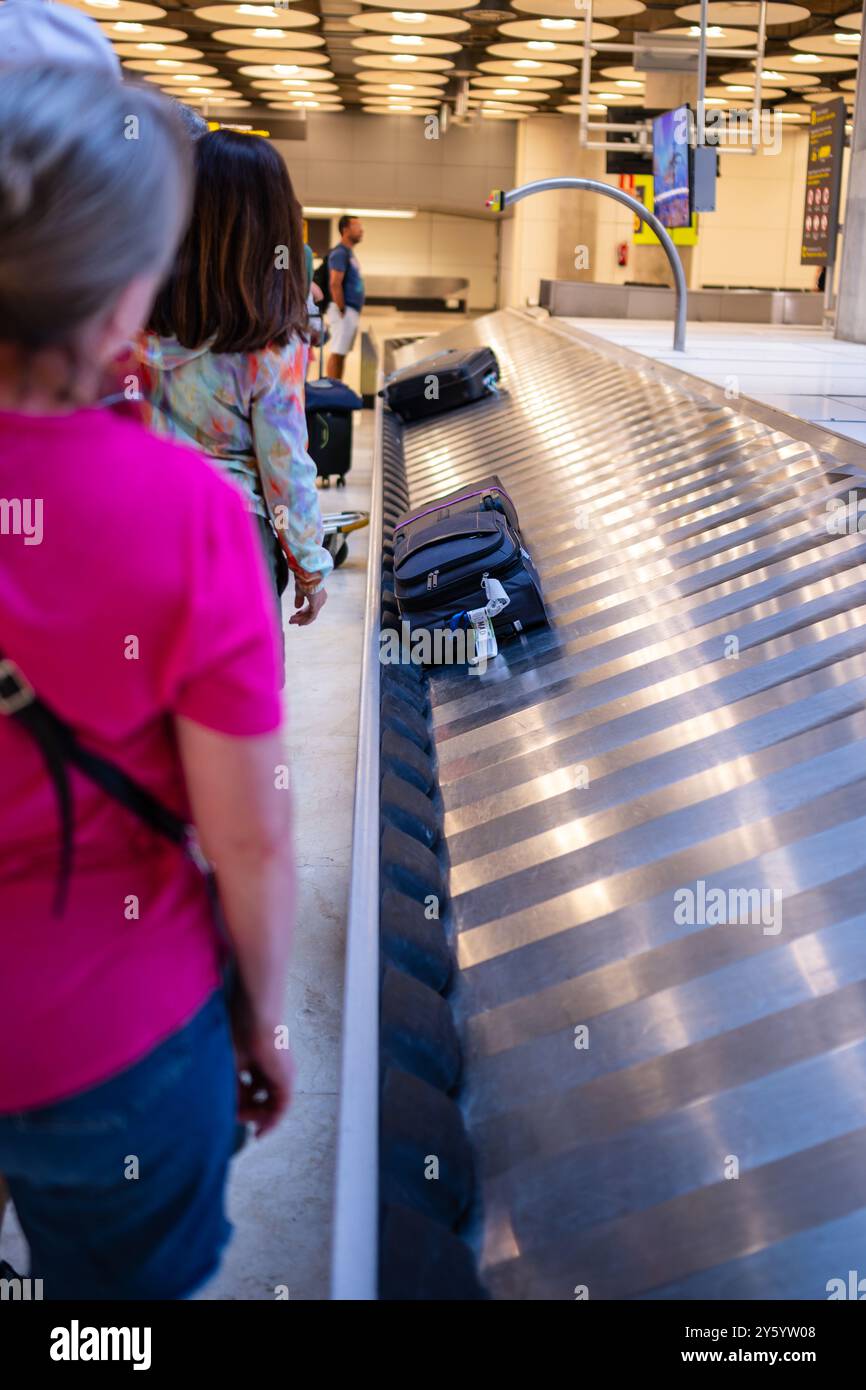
point(643, 1072)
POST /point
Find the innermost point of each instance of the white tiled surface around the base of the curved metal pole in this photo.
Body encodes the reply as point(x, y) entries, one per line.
point(804, 372)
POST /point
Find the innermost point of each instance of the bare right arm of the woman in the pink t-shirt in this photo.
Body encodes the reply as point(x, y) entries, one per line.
point(244, 825)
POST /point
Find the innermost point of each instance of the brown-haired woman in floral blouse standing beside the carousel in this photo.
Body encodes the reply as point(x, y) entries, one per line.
point(224, 358)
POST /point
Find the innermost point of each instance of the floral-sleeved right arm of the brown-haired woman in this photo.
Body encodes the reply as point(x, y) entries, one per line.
point(288, 475)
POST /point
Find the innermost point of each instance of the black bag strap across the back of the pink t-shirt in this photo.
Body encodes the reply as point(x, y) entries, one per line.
point(59, 747)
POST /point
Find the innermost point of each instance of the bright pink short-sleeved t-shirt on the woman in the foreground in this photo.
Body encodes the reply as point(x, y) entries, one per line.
point(133, 589)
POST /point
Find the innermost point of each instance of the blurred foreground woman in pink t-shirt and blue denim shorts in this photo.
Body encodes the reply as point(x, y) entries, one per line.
point(138, 697)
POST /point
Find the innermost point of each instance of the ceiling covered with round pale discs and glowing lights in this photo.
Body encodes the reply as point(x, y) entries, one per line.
point(496, 59)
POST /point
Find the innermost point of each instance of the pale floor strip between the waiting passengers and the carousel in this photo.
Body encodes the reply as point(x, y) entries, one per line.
point(283, 1189)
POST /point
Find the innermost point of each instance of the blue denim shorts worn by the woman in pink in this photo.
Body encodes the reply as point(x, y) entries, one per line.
point(120, 1191)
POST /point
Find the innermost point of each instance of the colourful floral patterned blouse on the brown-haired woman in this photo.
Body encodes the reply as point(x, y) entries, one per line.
point(247, 412)
